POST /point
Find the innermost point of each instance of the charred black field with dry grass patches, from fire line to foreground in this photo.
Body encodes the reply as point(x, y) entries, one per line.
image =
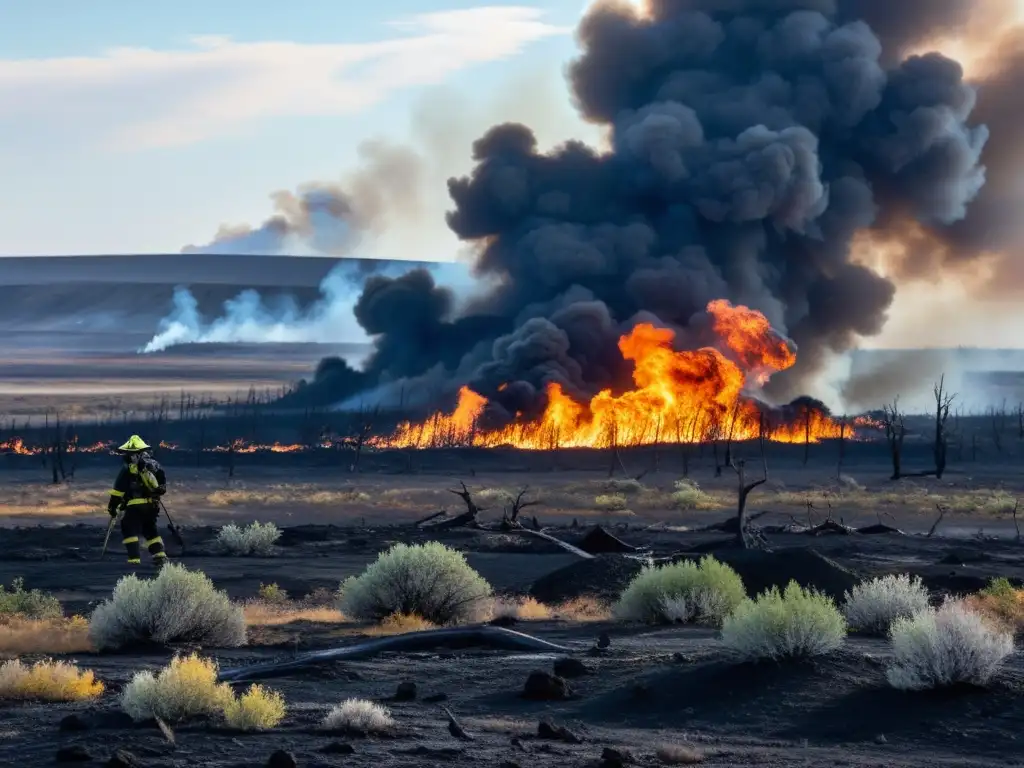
point(657, 695)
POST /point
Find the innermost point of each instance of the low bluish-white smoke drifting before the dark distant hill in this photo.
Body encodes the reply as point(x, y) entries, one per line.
point(249, 319)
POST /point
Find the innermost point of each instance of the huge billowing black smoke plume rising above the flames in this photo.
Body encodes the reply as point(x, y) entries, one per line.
point(751, 141)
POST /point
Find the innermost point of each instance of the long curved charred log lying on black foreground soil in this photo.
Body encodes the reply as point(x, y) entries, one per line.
point(491, 637)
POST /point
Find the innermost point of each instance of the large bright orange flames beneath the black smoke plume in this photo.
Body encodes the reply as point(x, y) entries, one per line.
point(679, 397)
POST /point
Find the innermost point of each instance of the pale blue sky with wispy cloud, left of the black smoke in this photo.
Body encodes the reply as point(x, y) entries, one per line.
point(143, 127)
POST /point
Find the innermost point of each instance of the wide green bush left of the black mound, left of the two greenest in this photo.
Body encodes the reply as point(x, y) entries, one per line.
point(686, 591)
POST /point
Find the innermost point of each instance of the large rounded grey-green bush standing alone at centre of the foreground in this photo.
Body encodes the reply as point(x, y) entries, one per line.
point(431, 581)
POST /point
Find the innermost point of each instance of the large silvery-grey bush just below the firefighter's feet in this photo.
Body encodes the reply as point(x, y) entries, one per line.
point(179, 606)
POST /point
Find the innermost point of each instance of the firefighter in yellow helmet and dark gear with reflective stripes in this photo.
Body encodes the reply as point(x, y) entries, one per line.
point(137, 492)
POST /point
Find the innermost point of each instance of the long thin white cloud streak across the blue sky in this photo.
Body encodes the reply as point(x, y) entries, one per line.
point(142, 99)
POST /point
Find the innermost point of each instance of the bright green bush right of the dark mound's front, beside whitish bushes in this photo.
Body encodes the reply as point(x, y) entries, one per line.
point(792, 624)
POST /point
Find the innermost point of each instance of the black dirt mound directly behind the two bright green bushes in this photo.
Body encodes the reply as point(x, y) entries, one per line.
point(761, 571)
